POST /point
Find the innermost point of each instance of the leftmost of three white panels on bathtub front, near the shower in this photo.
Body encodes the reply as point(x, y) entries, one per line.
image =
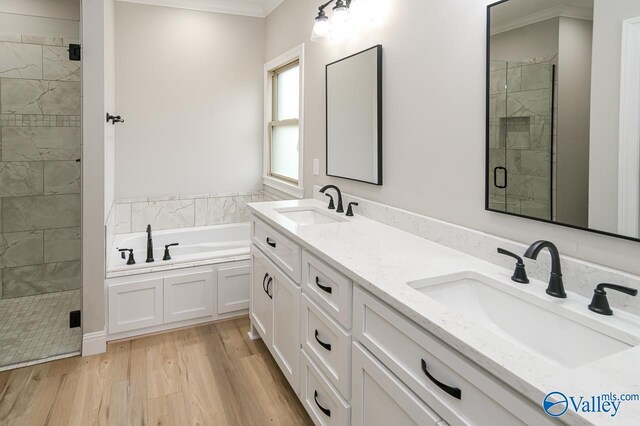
point(135, 305)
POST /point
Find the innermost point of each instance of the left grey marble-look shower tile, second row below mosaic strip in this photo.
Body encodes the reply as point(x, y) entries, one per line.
point(21, 178)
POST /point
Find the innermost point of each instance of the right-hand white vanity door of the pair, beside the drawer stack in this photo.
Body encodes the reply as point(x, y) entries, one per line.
point(286, 326)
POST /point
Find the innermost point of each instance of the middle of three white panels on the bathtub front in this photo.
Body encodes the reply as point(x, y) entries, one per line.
point(188, 296)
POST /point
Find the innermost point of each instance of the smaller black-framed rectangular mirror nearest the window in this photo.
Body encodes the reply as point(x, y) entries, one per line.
point(354, 117)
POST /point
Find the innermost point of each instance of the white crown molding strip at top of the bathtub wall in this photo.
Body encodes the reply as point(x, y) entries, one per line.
point(258, 8)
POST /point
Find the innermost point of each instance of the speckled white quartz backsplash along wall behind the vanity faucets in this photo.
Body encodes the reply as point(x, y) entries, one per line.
point(579, 276)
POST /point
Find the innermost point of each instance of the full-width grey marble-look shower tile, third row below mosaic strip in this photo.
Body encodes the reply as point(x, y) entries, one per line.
point(40, 212)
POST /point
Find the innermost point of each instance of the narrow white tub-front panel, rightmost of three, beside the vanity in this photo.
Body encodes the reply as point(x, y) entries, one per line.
point(233, 288)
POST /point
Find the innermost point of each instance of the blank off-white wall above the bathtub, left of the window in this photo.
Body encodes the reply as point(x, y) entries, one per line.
point(189, 86)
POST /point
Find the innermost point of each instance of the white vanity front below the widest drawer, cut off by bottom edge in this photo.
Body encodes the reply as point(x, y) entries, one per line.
point(380, 399)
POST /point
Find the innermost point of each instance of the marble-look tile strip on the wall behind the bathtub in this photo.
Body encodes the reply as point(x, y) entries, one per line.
point(186, 211)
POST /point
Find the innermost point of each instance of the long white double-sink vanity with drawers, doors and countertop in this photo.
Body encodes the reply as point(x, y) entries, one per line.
point(375, 326)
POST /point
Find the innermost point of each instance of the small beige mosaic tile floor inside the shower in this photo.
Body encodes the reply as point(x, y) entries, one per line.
point(36, 329)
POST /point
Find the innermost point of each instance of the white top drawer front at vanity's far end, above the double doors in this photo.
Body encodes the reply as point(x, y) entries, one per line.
point(281, 250)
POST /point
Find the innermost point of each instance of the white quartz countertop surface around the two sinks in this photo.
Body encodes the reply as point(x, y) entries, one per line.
point(383, 259)
